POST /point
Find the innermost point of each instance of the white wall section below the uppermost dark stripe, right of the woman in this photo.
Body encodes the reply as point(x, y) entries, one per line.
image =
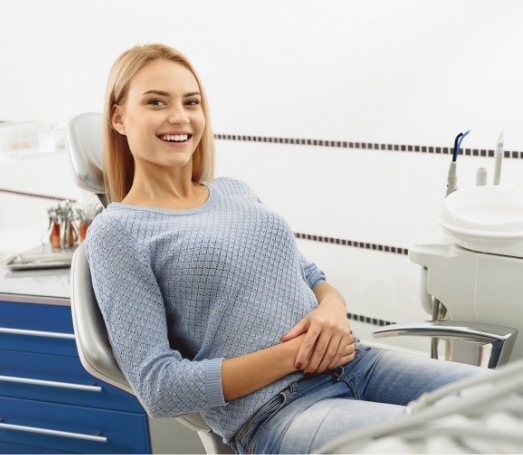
point(357, 211)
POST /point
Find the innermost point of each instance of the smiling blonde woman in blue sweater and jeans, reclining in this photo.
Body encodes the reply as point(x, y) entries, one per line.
point(209, 305)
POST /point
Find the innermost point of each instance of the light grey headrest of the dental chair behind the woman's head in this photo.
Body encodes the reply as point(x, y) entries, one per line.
point(84, 143)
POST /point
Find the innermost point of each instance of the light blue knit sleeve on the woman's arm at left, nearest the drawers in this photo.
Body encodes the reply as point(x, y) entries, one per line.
point(129, 297)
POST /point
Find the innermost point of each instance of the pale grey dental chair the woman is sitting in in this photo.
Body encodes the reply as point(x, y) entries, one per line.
point(84, 146)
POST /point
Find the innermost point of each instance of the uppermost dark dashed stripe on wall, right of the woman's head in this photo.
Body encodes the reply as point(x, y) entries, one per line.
point(367, 145)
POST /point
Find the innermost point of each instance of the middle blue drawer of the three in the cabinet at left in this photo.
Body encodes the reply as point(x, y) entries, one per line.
point(35, 376)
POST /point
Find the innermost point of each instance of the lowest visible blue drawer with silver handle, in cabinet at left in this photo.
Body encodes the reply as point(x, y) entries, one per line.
point(58, 427)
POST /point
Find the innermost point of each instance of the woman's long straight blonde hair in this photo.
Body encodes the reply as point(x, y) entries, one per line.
point(118, 161)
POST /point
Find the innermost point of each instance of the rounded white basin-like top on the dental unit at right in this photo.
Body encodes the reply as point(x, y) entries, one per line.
point(488, 219)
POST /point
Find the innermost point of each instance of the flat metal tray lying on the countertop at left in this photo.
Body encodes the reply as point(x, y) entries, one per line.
point(42, 257)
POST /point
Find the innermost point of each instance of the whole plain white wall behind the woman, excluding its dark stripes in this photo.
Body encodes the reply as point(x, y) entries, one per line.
point(402, 72)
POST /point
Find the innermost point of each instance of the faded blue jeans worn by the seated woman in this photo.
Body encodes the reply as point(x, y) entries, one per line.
point(373, 388)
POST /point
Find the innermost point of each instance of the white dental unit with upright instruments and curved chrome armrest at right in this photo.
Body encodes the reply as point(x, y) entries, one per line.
point(471, 274)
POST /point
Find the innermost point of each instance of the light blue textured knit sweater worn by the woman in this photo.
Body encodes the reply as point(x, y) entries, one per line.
point(182, 290)
